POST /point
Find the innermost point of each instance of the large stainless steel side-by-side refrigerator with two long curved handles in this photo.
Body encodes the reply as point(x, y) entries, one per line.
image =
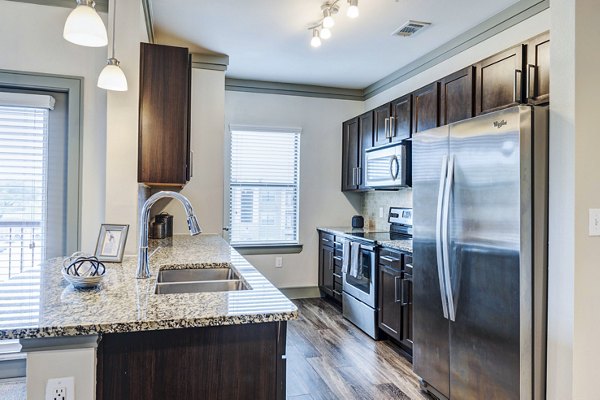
point(480, 256)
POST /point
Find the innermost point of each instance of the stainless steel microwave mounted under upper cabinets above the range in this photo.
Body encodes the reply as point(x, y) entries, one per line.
point(386, 167)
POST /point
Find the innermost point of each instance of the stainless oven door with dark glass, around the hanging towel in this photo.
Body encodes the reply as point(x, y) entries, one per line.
point(363, 286)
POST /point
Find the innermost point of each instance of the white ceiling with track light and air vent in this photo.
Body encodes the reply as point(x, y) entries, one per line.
point(268, 39)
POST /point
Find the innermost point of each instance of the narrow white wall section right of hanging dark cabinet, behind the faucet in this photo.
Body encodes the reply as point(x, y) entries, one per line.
point(205, 189)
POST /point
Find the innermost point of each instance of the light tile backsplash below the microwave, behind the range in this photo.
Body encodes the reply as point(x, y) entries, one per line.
point(375, 200)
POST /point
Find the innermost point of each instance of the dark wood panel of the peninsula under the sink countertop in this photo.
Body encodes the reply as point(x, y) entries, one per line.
point(224, 362)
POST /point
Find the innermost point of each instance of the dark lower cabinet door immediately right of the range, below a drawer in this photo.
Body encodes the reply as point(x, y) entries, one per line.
point(390, 310)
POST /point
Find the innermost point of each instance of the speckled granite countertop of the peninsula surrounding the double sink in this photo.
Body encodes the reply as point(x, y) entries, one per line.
point(123, 303)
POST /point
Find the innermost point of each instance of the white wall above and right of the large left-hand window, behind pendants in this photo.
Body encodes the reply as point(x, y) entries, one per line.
point(31, 40)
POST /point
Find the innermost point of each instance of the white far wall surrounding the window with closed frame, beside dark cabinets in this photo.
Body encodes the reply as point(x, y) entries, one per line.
point(321, 201)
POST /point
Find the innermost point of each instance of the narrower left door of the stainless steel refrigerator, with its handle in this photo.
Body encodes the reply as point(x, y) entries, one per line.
point(430, 323)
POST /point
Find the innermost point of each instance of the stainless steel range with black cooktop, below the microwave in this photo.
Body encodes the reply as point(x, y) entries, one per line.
point(359, 269)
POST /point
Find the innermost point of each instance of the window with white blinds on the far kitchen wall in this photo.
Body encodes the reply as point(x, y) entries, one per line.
point(264, 186)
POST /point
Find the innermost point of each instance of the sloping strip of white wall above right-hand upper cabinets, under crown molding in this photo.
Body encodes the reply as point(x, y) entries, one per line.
point(510, 37)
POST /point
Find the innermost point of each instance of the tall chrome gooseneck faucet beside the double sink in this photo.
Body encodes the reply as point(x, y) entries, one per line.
point(143, 270)
